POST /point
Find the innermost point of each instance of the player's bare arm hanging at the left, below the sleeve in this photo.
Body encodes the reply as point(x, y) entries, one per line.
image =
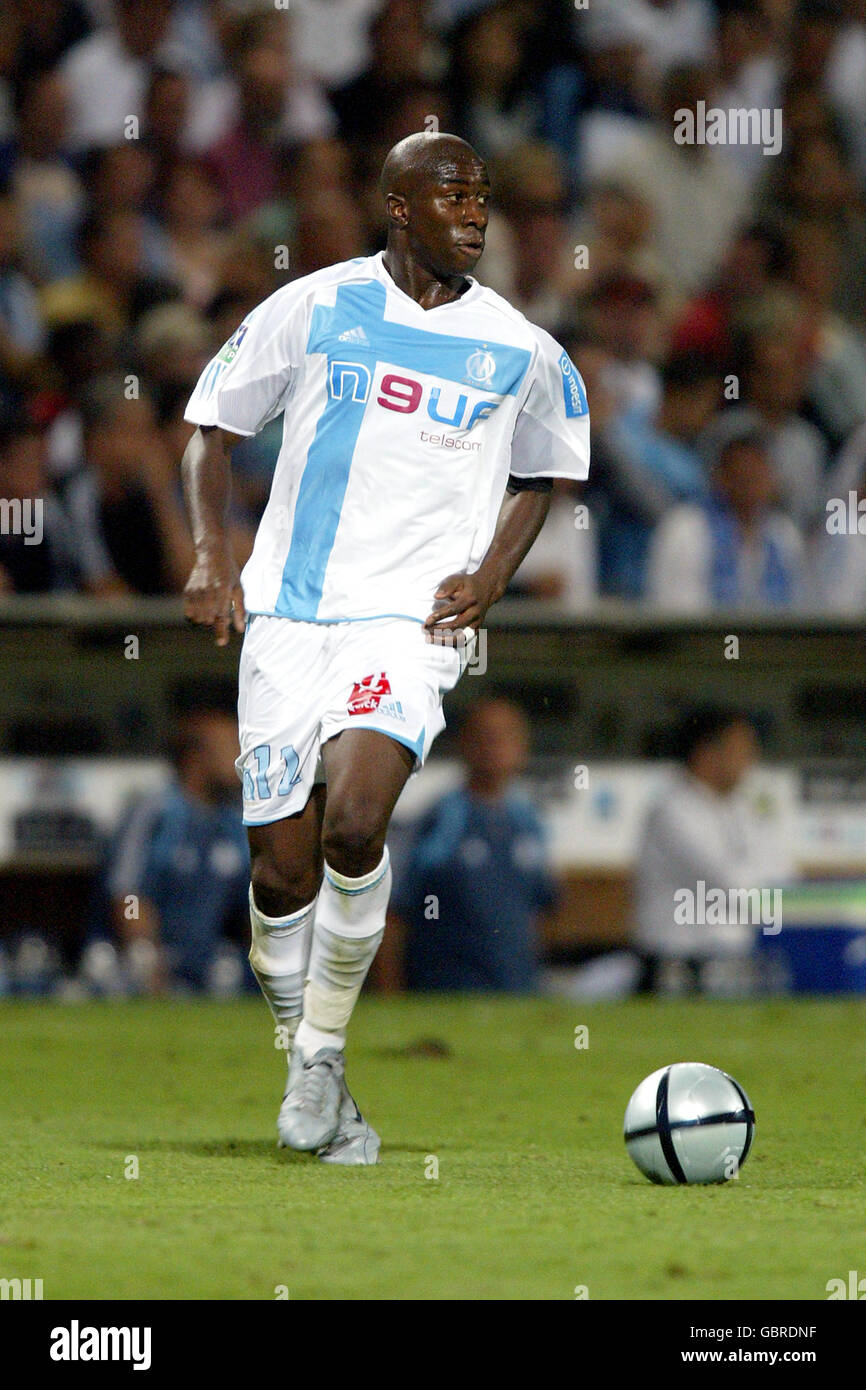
point(213, 593)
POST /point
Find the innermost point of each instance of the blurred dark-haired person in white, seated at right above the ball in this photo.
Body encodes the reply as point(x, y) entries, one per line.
point(700, 836)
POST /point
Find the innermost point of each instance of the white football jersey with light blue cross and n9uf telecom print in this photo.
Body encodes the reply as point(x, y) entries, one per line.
point(401, 429)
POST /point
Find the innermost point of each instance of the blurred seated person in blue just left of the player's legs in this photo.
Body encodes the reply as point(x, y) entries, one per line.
point(177, 874)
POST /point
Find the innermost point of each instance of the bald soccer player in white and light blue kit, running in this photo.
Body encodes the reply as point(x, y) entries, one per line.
point(425, 420)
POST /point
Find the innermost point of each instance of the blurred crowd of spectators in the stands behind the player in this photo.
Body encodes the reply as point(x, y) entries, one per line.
point(166, 165)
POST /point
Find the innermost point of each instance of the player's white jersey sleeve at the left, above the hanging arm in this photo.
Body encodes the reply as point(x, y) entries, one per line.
point(250, 380)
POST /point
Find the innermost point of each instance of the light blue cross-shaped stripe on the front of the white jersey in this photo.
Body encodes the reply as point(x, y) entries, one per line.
point(359, 315)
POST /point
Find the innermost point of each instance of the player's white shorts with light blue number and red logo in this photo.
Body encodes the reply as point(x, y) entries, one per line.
point(302, 683)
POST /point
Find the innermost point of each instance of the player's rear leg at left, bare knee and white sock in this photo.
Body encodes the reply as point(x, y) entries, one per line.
point(287, 867)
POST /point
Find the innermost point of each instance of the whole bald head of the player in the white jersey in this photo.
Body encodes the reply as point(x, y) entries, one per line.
point(437, 194)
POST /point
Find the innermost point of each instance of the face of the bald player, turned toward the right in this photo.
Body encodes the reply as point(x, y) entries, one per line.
point(448, 218)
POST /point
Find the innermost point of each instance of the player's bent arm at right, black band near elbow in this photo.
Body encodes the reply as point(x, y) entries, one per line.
point(465, 598)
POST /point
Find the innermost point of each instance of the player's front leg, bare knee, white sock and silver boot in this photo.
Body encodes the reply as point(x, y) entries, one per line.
point(366, 772)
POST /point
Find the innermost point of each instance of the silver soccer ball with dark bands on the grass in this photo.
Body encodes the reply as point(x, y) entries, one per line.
point(689, 1124)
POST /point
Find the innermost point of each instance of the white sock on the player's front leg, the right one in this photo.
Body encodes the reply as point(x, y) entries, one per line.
point(350, 926)
